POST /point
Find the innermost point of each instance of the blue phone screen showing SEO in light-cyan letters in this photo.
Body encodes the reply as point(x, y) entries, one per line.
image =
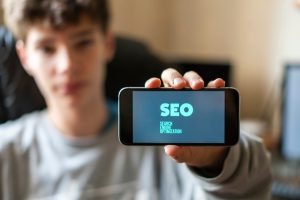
point(179, 117)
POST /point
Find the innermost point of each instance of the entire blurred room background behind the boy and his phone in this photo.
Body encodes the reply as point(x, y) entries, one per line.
point(254, 46)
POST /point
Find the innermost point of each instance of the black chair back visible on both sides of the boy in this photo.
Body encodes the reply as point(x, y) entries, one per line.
point(132, 65)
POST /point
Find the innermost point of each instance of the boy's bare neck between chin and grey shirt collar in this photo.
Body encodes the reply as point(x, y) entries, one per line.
point(76, 121)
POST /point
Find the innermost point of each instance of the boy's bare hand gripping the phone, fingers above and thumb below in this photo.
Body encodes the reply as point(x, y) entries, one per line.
point(206, 158)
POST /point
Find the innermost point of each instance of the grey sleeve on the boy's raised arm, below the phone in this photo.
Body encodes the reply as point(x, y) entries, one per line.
point(246, 173)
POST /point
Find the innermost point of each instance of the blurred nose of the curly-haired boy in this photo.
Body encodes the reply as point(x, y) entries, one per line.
point(66, 63)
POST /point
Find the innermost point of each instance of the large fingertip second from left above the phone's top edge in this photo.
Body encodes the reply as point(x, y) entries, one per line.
point(172, 78)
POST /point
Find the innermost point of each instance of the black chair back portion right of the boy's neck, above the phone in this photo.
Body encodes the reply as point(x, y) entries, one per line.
point(132, 65)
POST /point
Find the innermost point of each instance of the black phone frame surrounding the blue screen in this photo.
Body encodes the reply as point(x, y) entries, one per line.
point(232, 115)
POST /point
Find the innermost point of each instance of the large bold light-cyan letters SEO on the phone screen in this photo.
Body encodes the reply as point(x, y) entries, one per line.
point(176, 110)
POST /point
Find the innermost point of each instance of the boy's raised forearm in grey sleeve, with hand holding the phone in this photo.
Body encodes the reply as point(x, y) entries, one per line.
point(241, 171)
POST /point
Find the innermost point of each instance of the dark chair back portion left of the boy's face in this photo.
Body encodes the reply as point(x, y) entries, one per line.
point(18, 91)
